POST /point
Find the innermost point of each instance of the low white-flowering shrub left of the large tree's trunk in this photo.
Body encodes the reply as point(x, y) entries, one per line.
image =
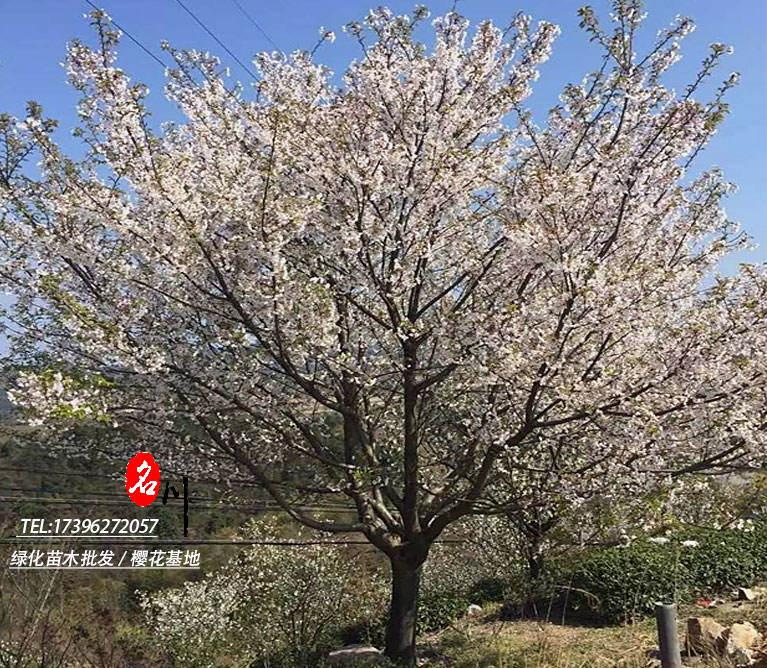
point(270, 604)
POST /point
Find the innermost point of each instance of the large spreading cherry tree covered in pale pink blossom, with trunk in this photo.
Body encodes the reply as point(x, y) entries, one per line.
point(397, 284)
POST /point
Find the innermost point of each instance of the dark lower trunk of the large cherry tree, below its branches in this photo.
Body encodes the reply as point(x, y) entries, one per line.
point(403, 611)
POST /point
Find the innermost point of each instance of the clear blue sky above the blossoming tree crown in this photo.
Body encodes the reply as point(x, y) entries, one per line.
point(33, 37)
